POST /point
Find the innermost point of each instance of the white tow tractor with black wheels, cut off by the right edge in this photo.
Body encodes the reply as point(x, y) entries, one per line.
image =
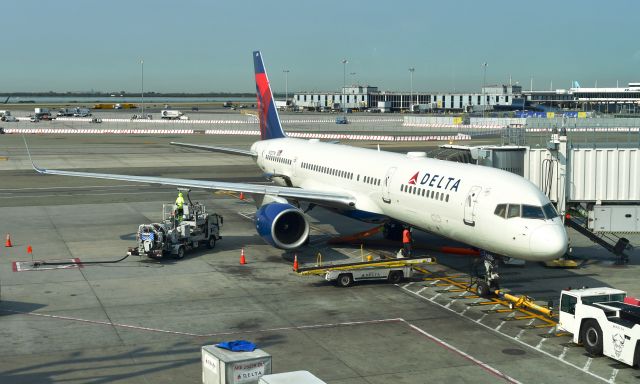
point(604, 320)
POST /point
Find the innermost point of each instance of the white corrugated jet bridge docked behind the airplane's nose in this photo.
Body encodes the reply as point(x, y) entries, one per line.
point(596, 188)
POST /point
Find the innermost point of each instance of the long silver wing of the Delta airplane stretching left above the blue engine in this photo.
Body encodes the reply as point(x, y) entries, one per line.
point(340, 200)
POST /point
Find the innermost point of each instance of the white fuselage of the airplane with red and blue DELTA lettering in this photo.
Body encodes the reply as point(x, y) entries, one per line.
point(457, 201)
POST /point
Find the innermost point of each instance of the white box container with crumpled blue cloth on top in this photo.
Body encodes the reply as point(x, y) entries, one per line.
point(221, 366)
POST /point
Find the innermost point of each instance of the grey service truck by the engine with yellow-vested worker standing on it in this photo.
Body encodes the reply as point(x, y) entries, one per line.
point(178, 234)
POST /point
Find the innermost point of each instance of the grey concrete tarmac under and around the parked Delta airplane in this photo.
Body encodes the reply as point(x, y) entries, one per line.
point(144, 321)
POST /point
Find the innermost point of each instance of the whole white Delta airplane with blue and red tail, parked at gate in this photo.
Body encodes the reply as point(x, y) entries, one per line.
point(496, 211)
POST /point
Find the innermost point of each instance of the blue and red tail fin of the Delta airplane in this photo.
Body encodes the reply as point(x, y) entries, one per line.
point(270, 127)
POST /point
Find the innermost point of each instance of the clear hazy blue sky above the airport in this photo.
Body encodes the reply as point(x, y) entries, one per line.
point(203, 46)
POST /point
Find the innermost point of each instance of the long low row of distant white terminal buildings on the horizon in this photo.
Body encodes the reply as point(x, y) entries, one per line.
point(491, 98)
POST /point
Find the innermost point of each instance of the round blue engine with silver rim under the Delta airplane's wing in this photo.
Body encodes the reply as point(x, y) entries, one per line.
point(282, 225)
